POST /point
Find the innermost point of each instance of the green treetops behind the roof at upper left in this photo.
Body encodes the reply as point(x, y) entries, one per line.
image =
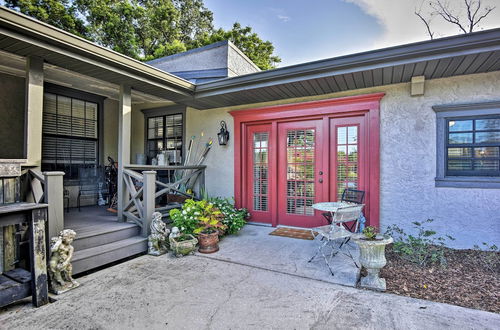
point(146, 29)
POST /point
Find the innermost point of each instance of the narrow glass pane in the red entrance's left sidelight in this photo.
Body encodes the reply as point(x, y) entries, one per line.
point(260, 171)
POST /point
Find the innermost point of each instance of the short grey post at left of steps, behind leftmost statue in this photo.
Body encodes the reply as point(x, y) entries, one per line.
point(54, 196)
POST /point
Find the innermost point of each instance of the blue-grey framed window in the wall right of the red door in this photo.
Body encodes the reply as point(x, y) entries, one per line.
point(468, 145)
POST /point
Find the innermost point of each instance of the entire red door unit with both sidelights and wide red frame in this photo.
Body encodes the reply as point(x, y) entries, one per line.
point(289, 157)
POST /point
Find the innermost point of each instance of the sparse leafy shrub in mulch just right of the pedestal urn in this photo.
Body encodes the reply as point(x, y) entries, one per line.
point(422, 248)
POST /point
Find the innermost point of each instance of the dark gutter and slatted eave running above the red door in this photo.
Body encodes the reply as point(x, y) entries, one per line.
point(458, 55)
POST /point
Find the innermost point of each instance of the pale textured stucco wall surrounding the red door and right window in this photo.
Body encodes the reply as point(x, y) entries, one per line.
point(408, 159)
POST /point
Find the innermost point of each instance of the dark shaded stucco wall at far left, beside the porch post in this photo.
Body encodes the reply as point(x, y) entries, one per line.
point(11, 116)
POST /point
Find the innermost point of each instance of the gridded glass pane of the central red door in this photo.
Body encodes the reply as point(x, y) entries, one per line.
point(300, 171)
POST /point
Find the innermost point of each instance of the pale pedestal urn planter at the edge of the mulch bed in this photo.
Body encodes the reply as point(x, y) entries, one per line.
point(372, 258)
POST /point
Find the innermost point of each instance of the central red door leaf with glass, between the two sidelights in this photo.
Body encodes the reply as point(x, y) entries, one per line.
point(300, 173)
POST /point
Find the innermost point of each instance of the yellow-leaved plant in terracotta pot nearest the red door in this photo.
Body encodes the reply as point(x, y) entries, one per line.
point(210, 227)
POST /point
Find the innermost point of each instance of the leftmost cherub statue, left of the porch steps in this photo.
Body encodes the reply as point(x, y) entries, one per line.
point(60, 268)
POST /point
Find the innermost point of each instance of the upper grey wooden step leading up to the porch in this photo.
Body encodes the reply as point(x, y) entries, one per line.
point(104, 233)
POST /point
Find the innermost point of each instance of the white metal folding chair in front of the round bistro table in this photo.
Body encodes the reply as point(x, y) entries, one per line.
point(336, 232)
